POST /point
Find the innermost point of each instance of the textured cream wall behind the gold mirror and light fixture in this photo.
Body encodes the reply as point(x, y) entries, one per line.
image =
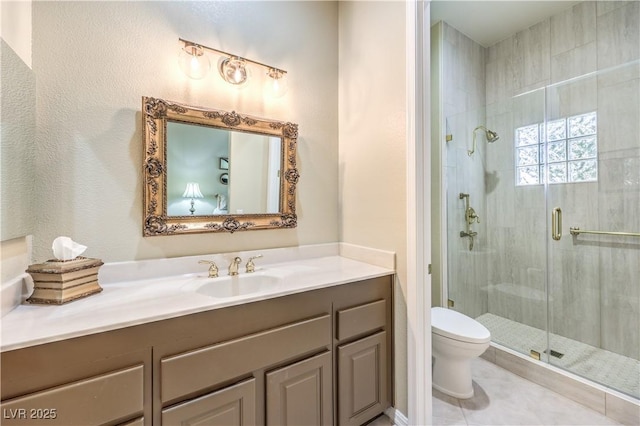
point(95, 60)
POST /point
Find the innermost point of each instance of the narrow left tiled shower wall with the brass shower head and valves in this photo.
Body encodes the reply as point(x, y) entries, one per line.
point(464, 109)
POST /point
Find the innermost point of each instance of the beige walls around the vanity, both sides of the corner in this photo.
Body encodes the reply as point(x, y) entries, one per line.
point(93, 61)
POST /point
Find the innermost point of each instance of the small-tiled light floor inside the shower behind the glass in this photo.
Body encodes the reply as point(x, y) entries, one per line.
point(607, 368)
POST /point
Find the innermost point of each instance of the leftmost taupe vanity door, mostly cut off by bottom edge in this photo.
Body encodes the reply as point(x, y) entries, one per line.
point(231, 406)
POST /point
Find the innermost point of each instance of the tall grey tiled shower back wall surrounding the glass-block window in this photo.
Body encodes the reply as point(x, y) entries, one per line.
point(594, 292)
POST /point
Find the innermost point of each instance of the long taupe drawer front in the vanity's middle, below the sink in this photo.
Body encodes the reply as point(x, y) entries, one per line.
point(192, 371)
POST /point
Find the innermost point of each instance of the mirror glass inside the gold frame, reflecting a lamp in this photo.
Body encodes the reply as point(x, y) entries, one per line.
point(198, 170)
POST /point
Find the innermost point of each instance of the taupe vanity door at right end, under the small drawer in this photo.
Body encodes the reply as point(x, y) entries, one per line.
point(362, 379)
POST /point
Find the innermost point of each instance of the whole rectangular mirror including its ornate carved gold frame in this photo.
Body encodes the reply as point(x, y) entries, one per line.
point(208, 170)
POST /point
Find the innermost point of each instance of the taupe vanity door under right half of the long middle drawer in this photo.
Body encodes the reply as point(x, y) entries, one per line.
point(300, 394)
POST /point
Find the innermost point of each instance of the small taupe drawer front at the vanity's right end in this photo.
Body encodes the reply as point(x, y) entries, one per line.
point(361, 319)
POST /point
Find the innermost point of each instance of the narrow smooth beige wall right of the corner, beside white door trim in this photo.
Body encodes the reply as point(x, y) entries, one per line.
point(372, 105)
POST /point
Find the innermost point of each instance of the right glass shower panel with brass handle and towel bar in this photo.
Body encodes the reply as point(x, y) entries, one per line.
point(592, 170)
